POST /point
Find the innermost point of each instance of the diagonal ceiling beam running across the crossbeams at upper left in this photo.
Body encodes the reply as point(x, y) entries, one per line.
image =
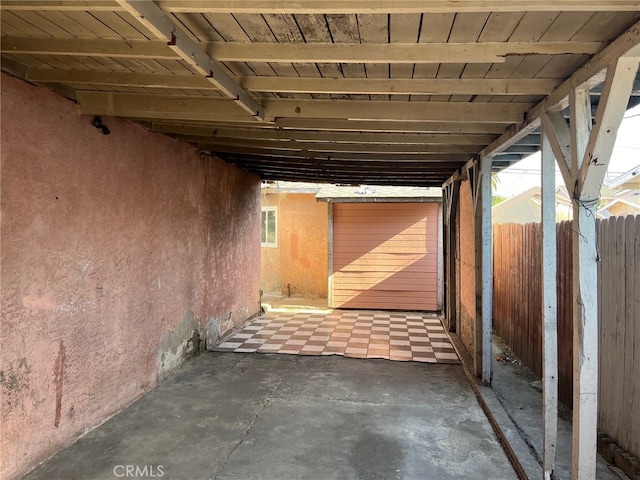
point(157, 21)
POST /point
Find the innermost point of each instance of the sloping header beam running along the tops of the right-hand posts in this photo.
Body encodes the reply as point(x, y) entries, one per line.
point(587, 77)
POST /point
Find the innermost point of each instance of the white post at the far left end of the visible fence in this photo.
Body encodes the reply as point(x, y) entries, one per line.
point(486, 267)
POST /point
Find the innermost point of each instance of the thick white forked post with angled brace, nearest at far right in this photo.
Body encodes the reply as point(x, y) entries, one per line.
point(591, 153)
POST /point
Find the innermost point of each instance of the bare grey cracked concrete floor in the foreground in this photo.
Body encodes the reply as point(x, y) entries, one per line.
point(269, 416)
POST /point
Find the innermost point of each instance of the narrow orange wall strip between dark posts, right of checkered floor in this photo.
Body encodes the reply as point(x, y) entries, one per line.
point(467, 268)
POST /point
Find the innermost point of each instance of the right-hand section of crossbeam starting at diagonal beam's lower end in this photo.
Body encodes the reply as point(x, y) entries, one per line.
point(411, 111)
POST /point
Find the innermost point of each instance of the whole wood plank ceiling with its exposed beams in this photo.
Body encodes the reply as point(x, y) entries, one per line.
point(395, 92)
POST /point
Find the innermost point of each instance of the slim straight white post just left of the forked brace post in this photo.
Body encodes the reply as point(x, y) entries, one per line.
point(549, 311)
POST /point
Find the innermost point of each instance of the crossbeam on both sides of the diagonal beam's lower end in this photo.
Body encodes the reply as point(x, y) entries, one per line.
point(152, 107)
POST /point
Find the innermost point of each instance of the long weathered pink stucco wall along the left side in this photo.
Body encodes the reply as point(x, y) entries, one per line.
point(118, 252)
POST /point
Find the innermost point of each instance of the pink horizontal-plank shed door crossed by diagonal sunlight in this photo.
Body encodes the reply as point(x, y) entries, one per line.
point(385, 256)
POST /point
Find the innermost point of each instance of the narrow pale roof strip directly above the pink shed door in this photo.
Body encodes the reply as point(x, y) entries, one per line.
point(366, 193)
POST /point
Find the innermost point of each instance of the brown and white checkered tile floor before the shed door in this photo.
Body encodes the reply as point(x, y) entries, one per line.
point(413, 336)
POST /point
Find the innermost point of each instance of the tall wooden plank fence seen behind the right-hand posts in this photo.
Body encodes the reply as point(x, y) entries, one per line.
point(517, 314)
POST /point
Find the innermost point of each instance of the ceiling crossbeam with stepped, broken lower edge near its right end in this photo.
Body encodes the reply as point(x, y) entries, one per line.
point(478, 52)
